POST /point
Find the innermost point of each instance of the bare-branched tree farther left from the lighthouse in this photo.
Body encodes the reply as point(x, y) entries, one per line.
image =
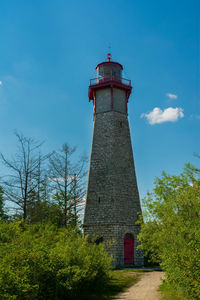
point(22, 184)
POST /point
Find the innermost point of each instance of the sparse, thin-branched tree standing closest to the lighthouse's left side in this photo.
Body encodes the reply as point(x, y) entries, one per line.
point(68, 181)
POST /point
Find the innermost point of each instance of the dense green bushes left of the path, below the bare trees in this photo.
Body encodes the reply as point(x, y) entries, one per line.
point(44, 262)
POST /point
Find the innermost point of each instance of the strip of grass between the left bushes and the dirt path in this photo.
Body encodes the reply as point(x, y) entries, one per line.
point(118, 282)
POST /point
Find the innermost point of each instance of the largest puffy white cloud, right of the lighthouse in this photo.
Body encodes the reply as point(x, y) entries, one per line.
point(157, 115)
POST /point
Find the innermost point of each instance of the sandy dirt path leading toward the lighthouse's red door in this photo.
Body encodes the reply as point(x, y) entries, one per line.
point(145, 289)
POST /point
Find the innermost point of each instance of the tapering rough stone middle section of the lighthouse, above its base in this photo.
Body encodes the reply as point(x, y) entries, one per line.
point(112, 194)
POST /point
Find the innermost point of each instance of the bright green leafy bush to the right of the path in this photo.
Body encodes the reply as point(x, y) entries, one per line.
point(171, 232)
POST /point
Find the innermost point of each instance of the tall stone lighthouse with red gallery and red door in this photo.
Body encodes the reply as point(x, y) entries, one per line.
point(112, 202)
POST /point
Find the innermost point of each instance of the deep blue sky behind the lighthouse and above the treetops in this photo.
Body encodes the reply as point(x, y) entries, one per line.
point(49, 51)
